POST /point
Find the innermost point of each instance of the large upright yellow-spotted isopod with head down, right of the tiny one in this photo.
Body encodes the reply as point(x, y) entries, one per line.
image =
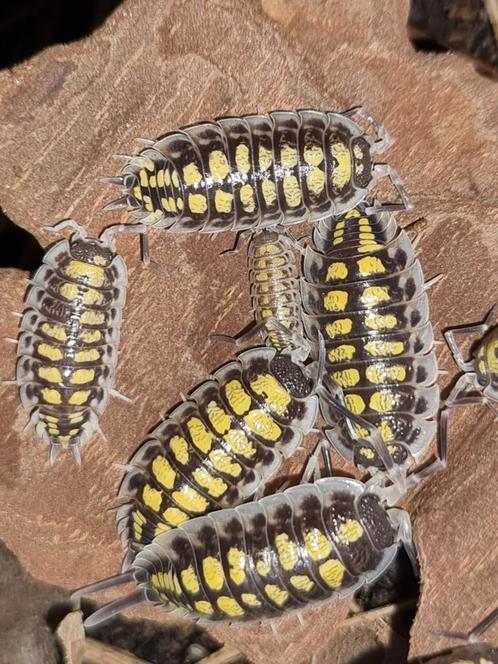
point(363, 289)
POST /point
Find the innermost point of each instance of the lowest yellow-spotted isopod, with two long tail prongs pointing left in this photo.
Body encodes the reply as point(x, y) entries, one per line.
point(292, 550)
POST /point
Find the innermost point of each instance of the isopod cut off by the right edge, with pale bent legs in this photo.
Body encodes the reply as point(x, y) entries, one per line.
point(478, 383)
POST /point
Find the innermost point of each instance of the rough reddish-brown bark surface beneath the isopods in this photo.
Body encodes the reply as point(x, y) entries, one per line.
point(155, 67)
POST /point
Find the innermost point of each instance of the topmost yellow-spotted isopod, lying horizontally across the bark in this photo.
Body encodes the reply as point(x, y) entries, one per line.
point(257, 170)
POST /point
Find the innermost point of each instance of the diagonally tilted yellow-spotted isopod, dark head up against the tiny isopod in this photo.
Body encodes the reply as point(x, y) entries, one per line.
point(219, 447)
